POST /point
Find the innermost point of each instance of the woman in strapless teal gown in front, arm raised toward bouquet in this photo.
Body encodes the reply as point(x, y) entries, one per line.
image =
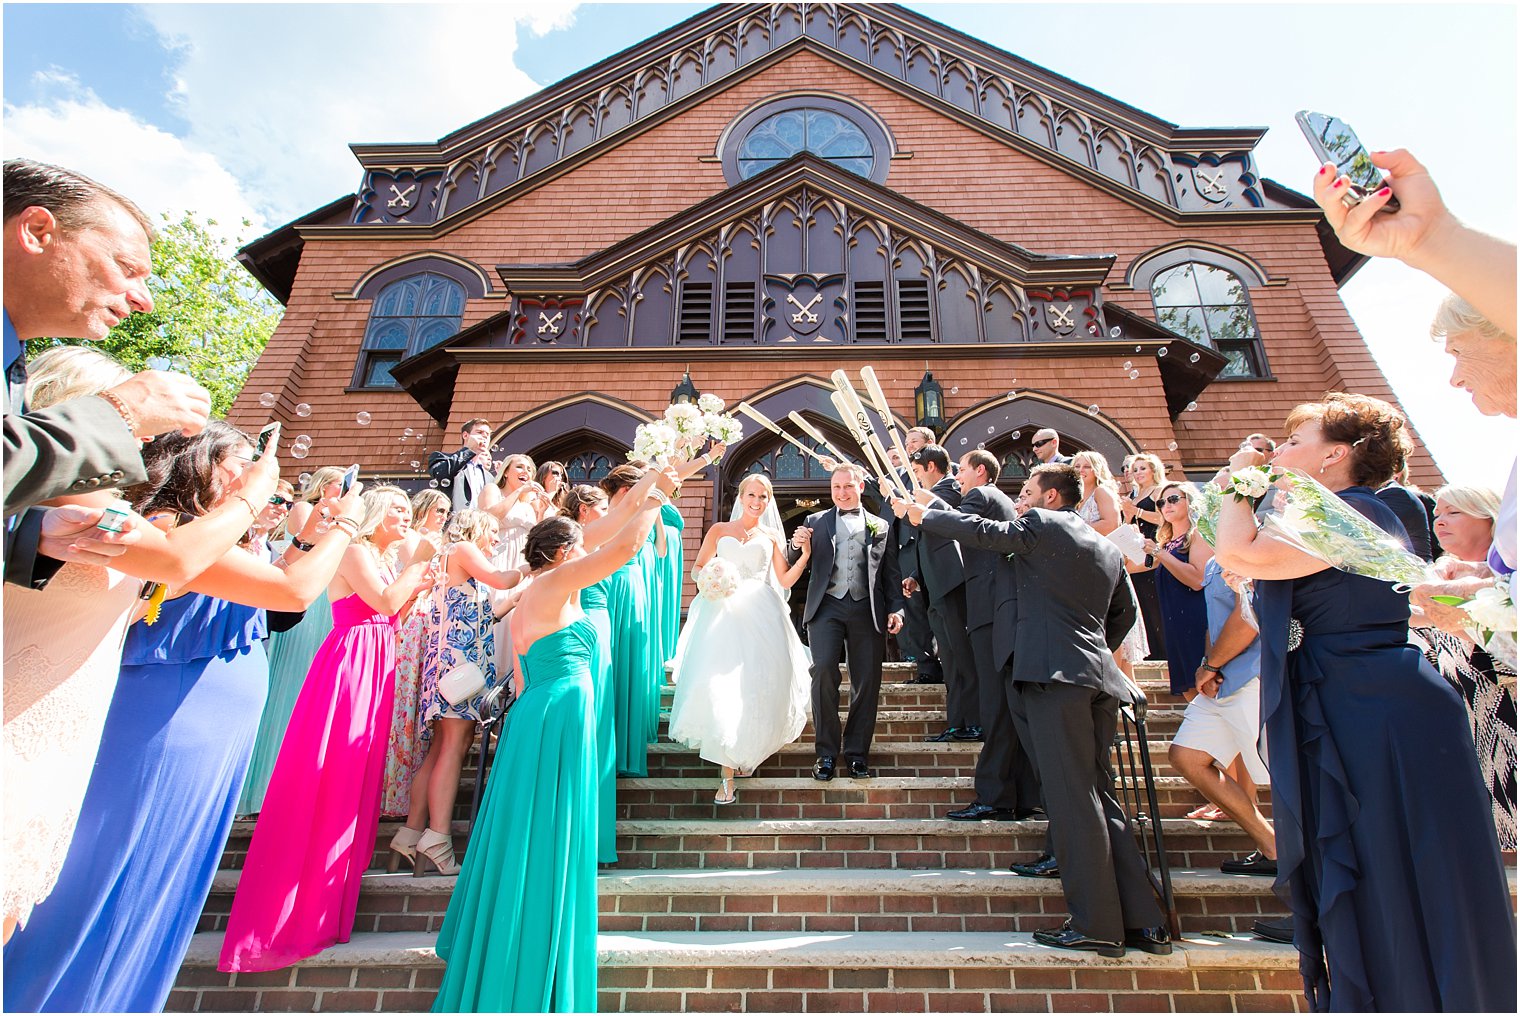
point(521, 933)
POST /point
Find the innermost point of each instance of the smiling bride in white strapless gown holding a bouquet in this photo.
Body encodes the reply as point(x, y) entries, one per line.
point(743, 684)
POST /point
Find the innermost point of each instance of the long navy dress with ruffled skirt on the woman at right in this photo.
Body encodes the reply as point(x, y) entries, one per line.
point(1384, 836)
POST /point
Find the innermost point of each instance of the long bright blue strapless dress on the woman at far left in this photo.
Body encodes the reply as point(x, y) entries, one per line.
point(156, 819)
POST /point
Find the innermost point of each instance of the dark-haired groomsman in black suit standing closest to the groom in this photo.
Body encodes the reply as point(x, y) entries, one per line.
point(940, 574)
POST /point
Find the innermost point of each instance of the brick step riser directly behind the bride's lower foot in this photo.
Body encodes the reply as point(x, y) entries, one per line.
point(805, 798)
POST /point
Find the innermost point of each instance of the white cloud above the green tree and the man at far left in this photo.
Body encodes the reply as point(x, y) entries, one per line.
point(74, 127)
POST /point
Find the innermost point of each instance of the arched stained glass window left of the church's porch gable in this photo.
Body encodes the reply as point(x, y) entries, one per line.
point(408, 317)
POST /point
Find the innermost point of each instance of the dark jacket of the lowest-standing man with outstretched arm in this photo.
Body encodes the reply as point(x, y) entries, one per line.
point(1074, 603)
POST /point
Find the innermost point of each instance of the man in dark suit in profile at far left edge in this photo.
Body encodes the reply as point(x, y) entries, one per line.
point(77, 264)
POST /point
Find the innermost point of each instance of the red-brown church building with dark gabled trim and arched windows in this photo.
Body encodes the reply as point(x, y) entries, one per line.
point(770, 192)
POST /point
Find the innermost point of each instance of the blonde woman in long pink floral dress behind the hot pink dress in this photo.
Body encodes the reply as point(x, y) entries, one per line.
point(429, 513)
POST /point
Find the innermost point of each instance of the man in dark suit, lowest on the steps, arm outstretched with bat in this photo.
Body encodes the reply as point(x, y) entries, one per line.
point(1074, 611)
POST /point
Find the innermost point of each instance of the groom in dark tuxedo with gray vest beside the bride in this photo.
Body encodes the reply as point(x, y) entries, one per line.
point(855, 597)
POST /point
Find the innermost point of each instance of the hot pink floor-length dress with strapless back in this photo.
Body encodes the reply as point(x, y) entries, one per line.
point(317, 833)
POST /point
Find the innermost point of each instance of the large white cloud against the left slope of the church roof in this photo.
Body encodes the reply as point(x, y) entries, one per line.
point(277, 92)
